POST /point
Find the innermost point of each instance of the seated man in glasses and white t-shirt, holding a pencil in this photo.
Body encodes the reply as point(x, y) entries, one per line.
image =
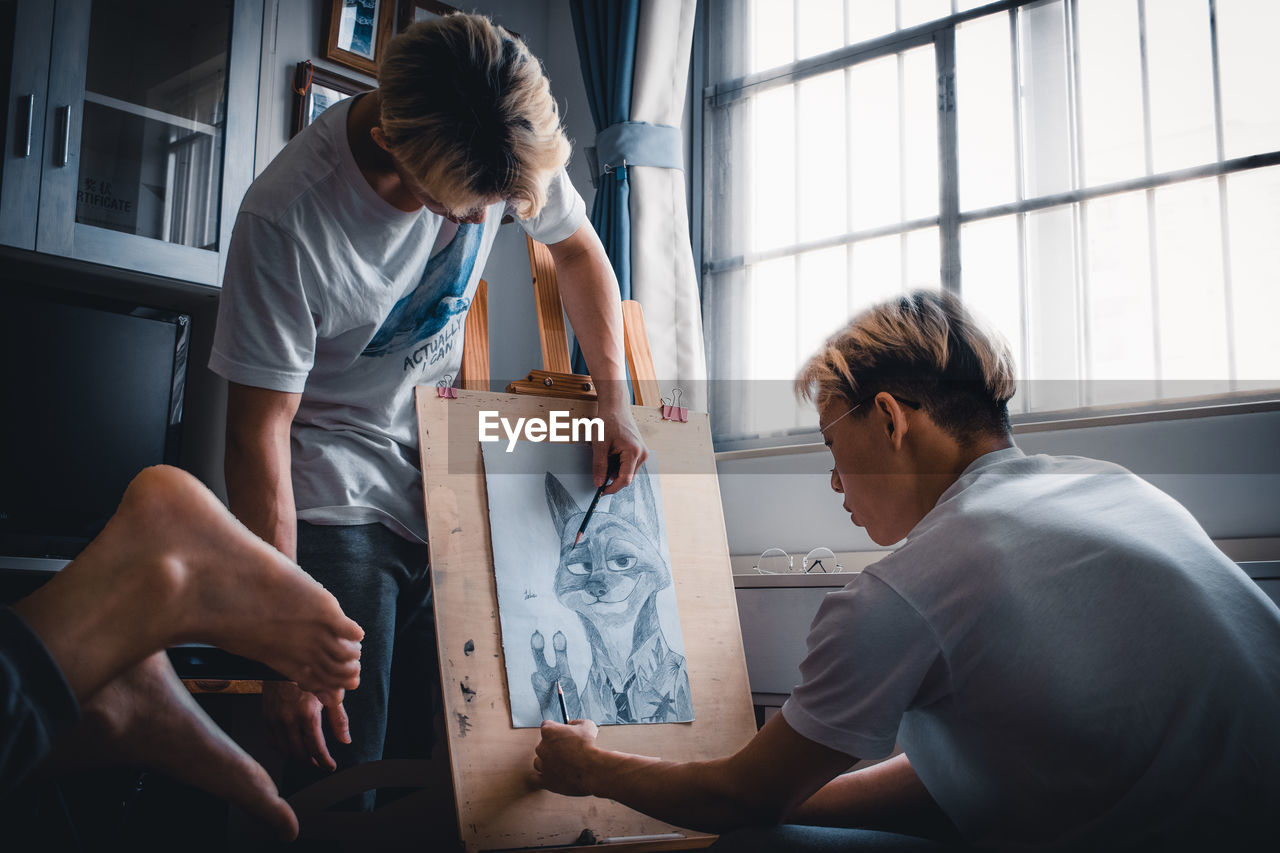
point(1063, 654)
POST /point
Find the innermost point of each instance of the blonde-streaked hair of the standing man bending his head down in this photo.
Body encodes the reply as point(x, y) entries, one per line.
point(469, 112)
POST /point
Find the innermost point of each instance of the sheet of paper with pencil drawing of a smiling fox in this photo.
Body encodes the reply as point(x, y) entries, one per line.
point(601, 619)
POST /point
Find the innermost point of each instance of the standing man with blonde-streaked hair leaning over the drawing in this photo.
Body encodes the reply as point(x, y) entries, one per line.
point(353, 264)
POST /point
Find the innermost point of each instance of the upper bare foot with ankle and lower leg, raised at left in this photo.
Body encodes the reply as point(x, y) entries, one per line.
point(172, 567)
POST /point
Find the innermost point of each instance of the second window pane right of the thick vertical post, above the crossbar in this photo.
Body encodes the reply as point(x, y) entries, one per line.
point(1046, 117)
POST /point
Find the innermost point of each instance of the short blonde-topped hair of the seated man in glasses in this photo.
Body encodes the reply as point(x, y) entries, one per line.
point(925, 346)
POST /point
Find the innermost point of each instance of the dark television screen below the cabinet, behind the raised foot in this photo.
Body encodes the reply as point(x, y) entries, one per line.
point(93, 395)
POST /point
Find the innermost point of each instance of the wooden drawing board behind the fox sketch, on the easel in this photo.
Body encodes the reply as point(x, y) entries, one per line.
point(491, 761)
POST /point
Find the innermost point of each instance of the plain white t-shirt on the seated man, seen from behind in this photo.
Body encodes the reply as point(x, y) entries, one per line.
point(1064, 656)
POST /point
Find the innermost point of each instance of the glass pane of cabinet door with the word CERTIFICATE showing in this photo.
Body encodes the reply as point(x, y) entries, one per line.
point(154, 120)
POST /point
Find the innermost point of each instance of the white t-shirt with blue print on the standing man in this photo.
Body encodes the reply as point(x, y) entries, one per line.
point(335, 293)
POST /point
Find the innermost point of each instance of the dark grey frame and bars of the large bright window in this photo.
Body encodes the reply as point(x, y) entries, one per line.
point(950, 220)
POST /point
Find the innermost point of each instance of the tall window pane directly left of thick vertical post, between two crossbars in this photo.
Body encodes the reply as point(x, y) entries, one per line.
point(921, 134)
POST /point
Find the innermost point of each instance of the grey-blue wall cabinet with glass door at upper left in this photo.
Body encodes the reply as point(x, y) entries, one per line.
point(130, 131)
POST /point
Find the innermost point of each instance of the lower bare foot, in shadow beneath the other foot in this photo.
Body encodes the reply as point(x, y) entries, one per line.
point(148, 719)
